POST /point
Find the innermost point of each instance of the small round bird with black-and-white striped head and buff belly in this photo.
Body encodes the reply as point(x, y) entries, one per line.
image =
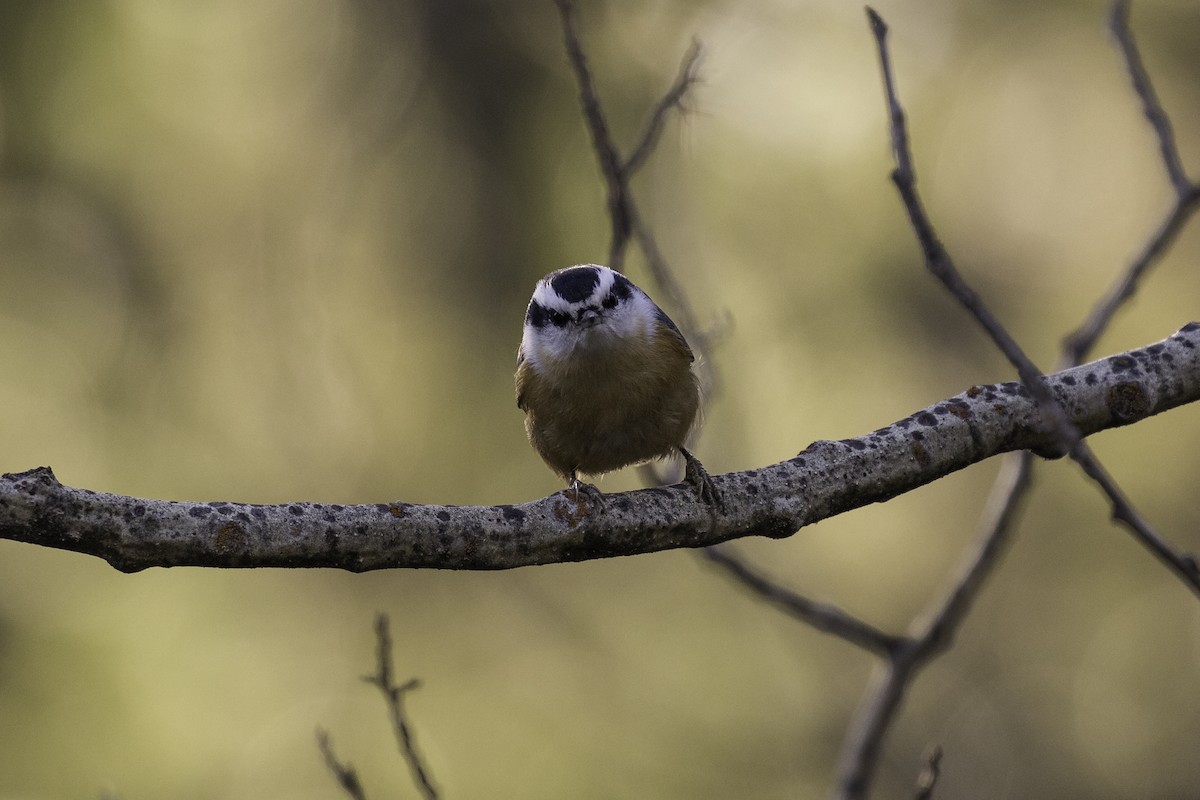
point(605, 380)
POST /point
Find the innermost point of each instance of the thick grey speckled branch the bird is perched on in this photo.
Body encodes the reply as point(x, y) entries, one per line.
point(827, 479)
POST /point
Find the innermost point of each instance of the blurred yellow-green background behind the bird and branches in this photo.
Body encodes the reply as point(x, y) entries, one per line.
point(268, 251)
